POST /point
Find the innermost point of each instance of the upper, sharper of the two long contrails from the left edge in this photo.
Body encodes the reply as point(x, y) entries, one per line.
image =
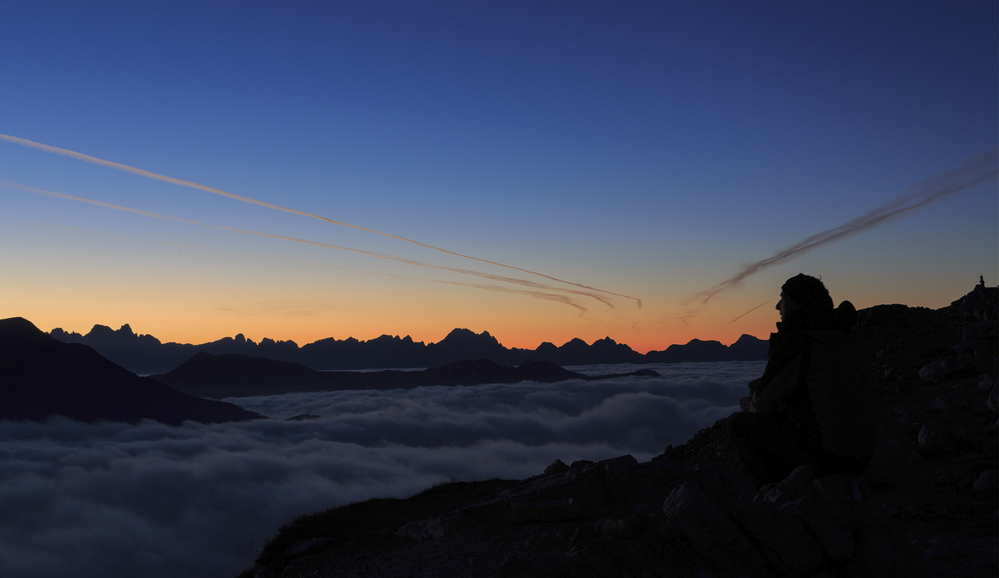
point(183, 183)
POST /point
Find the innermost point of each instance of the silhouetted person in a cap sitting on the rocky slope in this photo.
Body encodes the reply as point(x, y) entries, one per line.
point(813, 404)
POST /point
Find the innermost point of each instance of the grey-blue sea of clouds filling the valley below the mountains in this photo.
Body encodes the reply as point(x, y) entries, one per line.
point(200, 500)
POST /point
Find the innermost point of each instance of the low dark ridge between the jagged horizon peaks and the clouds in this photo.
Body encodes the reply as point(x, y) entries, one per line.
point(233, 375)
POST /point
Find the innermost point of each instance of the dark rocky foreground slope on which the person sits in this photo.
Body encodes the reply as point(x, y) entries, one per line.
point(927, 507)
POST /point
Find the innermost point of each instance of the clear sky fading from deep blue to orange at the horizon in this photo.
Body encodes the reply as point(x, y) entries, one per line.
point(642, 149)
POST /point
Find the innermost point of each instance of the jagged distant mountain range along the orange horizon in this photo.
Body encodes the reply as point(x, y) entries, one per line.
point(144, 354)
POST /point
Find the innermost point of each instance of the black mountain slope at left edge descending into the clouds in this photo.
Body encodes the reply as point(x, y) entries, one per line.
point(41, 377)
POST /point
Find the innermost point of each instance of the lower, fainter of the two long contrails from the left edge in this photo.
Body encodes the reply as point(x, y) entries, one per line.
point(252, 233)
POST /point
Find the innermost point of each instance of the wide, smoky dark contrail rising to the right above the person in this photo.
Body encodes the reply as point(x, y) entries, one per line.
point(974, 171)
